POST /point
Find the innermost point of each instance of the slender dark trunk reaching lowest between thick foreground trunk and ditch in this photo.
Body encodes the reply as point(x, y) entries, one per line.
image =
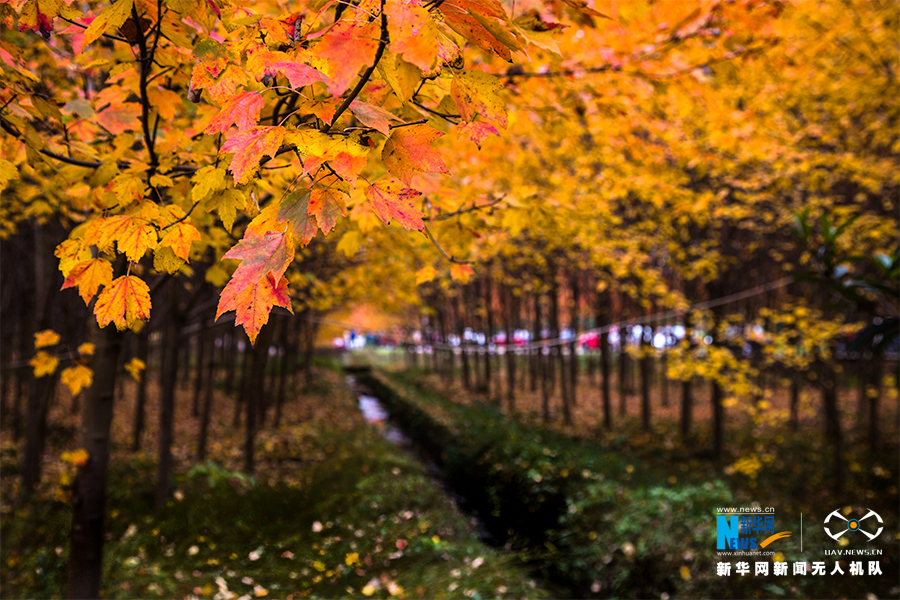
point(168, 381)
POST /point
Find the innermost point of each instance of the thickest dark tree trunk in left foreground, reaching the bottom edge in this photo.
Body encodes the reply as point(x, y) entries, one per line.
point(89, 491)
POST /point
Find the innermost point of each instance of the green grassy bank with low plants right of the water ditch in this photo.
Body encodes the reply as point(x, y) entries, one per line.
point(632, 514)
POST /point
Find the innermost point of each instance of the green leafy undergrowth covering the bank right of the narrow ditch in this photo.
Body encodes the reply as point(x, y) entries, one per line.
point(607, 517)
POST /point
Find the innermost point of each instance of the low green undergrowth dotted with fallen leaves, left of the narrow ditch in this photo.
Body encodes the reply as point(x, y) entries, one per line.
point(359, 518)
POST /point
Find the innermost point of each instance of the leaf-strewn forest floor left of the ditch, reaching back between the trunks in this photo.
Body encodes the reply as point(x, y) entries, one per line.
point(334, 510)
